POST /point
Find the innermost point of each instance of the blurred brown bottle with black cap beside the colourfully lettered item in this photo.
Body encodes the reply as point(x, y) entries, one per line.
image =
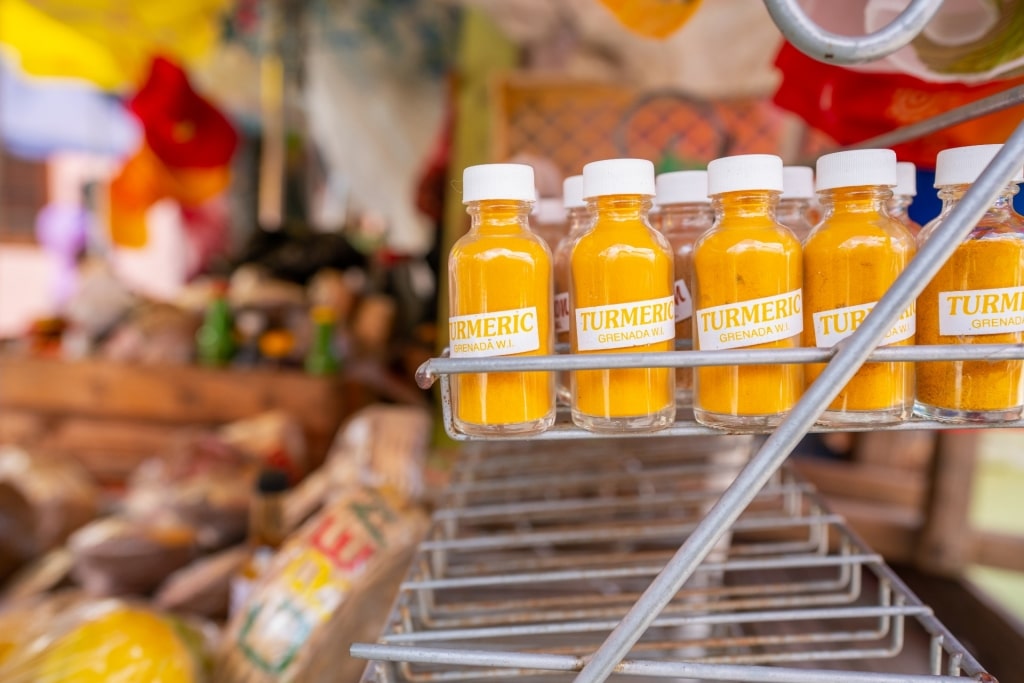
point(267, 534)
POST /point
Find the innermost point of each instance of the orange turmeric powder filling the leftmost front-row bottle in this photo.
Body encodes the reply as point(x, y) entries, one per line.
point(497, 269)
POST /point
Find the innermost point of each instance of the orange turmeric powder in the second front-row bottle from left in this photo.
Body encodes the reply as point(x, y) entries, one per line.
point(622, 262)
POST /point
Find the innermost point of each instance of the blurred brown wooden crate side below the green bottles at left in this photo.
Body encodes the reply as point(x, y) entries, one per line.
point(112, 416)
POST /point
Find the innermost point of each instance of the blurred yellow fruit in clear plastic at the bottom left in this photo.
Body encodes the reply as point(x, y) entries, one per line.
point(120, 647)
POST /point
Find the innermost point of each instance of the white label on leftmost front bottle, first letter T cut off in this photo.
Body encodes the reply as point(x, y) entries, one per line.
point(500, 333)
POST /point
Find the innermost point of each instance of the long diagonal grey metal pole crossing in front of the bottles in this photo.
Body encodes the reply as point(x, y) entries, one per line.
point(850, 357)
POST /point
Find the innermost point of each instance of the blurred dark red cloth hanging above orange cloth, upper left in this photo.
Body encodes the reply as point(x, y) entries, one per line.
point(182, 127)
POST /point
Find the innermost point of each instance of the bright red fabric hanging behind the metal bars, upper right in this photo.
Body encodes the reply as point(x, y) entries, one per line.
point(852, 106)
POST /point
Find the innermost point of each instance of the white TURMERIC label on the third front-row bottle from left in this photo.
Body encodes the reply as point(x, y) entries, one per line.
point(752, 322)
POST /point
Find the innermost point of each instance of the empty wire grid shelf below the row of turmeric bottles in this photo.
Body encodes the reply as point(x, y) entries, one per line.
point(536, 552)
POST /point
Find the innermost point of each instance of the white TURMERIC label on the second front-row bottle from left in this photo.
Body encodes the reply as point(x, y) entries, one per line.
point(625, 325)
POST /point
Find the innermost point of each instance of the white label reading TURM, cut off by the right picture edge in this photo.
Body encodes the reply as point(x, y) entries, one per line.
point(982, 312)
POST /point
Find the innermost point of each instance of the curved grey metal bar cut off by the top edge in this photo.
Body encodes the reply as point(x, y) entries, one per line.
point(813, 40)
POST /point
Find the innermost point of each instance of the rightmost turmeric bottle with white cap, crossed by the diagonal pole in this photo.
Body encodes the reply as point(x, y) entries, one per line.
point(976, 298)
